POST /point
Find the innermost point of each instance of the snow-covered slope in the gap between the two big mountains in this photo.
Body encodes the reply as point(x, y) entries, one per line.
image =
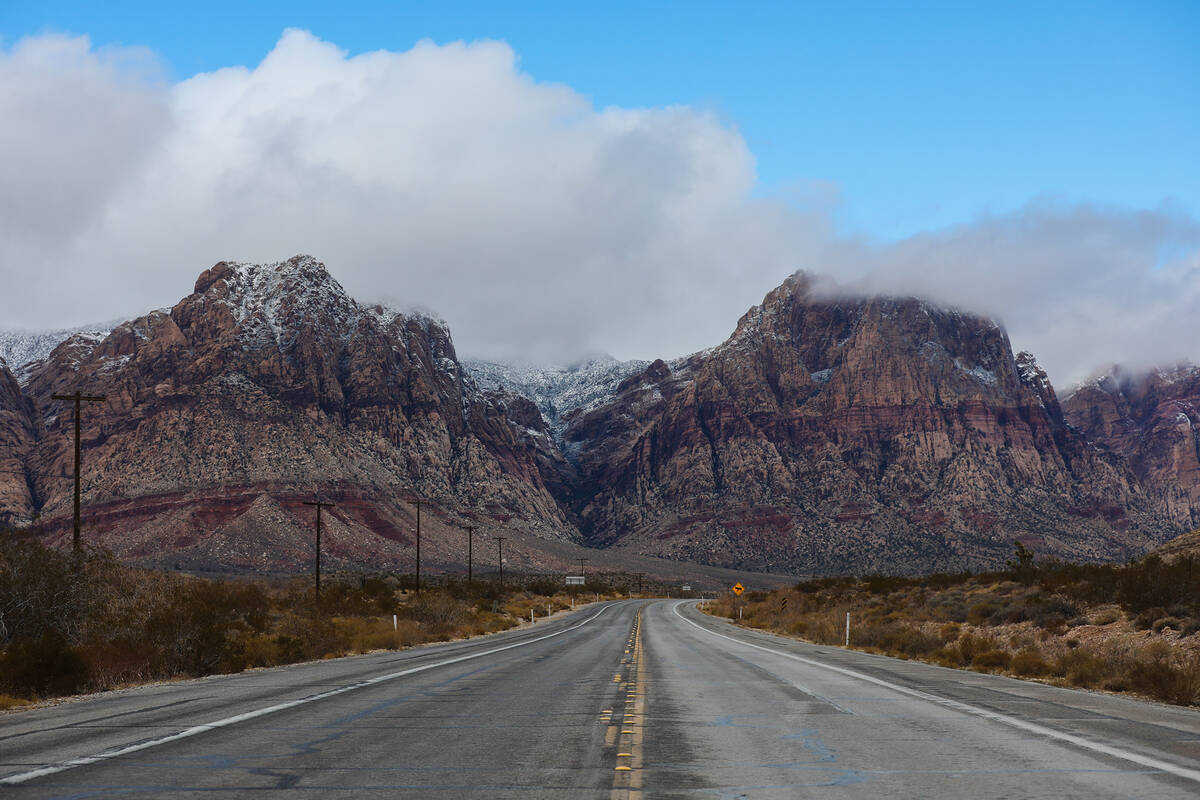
point(556, 390)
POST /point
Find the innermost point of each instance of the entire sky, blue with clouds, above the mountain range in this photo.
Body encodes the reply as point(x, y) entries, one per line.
point(559, 179)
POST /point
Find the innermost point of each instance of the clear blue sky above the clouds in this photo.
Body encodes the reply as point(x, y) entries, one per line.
point(909, 117)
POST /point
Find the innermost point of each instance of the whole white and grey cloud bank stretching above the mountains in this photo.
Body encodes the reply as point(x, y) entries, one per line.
point(537, 225)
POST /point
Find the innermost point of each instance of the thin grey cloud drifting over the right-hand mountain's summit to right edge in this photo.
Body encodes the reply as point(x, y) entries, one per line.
point(1079, 286)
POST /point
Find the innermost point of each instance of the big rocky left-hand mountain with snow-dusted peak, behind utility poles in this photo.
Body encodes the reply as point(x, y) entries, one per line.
point(266, 387)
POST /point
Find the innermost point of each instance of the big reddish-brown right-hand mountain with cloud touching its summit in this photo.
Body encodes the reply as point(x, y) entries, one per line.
point(867, 435)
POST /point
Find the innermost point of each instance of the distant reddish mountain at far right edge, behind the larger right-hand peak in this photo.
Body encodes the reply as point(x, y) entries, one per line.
point(1153, 419)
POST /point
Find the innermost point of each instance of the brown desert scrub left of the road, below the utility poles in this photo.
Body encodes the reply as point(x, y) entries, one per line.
point(82, 624)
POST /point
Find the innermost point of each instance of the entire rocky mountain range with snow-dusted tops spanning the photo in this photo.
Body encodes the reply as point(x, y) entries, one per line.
point(827, 435)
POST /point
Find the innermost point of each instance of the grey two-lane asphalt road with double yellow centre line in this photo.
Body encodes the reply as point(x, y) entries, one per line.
point(631, 700)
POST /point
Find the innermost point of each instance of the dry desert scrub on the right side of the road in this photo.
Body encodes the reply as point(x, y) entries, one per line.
point(1131, 628)
